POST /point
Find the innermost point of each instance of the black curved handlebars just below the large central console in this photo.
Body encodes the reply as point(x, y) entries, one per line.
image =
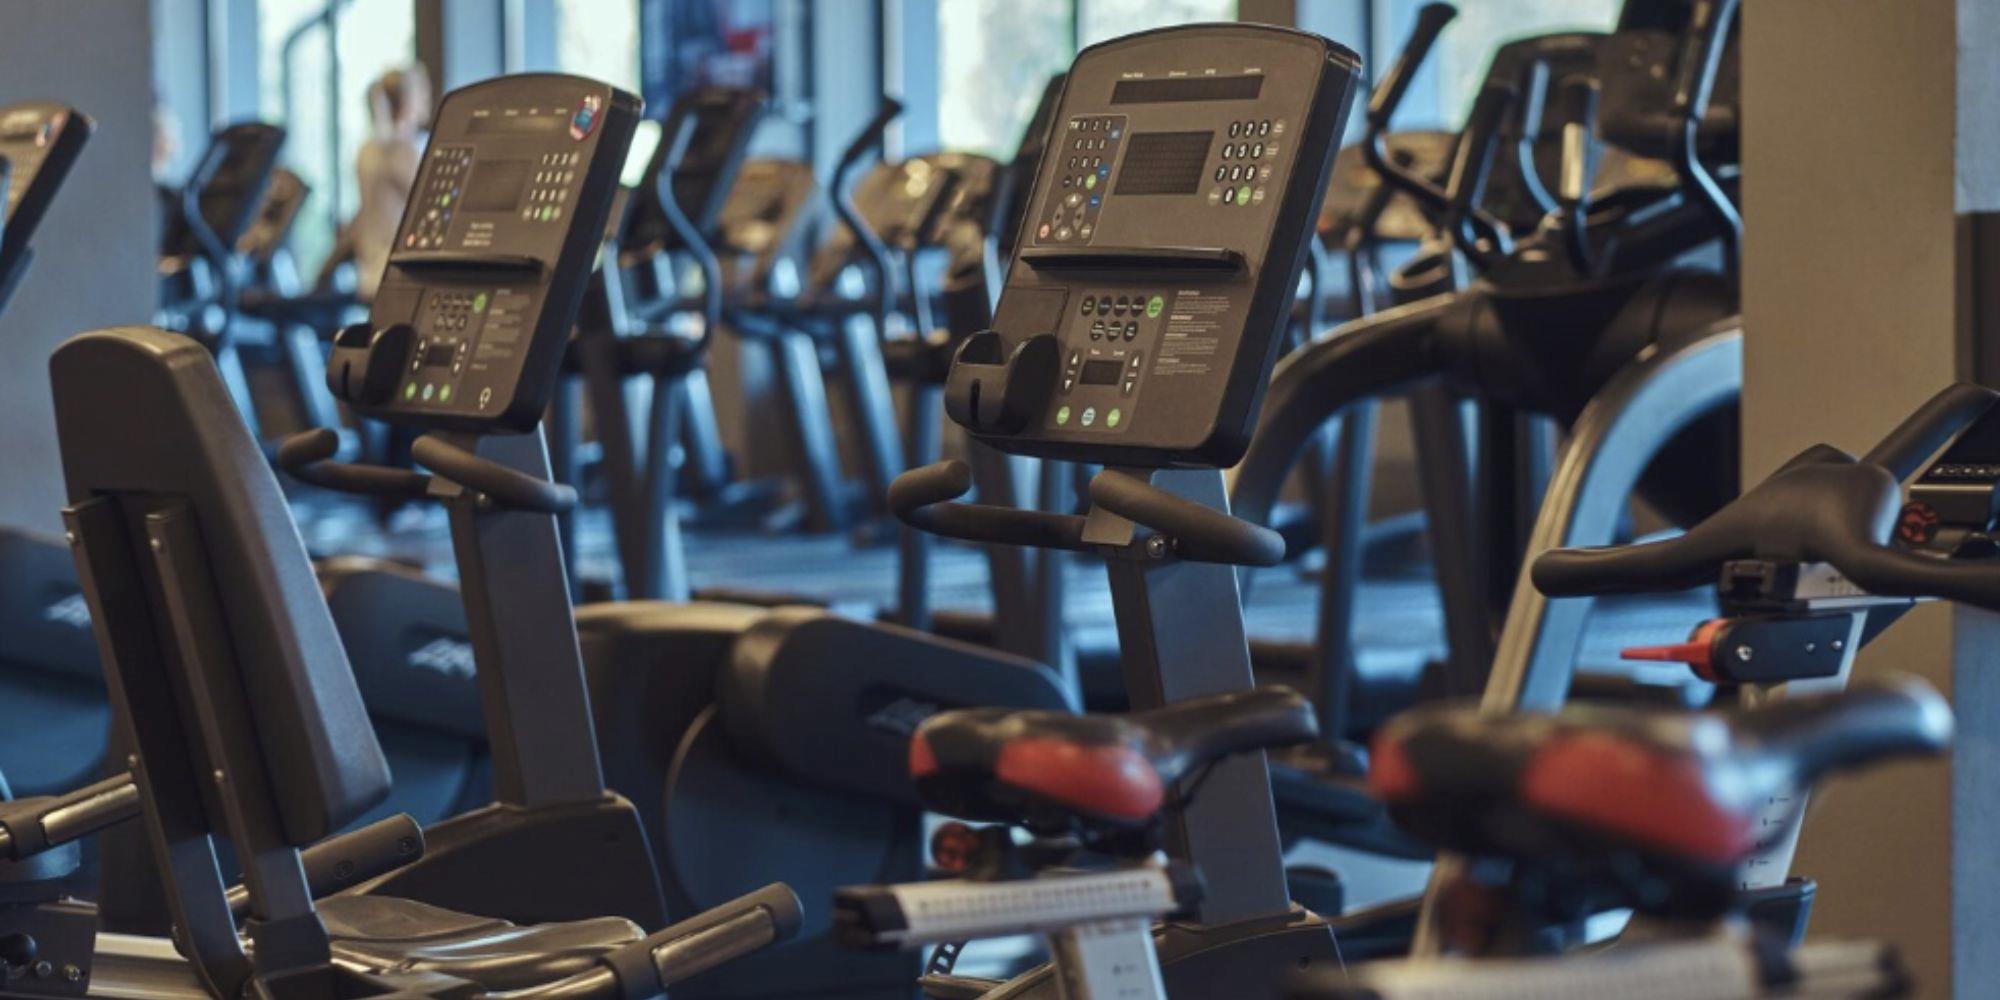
point(927, 499)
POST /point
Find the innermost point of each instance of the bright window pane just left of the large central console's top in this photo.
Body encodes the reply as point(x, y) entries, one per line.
point(993, 61)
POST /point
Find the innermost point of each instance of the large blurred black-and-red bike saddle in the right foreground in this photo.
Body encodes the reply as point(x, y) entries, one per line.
point(1683, 789)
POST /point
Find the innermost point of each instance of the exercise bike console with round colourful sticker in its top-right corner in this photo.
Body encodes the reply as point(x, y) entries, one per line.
point(489, 269)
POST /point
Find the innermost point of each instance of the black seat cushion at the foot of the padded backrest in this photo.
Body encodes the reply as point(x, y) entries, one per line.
point(387, 935)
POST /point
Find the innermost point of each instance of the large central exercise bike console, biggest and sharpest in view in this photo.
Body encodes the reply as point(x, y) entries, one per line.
point(1163, 243)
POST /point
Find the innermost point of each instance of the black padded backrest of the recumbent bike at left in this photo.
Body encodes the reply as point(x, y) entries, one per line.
point(143, 417)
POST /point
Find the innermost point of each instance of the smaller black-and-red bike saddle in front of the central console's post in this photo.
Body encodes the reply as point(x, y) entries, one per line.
point(1055, 771)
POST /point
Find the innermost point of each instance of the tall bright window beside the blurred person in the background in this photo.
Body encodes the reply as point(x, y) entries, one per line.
point(293, 61)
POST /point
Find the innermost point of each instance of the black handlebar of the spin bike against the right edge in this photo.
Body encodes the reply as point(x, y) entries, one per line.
point(1823, 507)
